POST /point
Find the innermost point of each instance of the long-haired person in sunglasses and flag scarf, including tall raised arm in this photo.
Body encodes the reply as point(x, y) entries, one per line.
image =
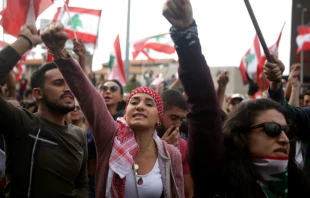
point(249, 157)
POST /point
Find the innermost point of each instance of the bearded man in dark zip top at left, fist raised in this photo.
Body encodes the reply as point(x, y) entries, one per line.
point(46, 156)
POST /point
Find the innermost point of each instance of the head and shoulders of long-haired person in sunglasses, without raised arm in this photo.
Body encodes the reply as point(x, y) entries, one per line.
point(258, 164)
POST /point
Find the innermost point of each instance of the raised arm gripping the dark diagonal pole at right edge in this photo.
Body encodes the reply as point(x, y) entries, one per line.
point(299, 116)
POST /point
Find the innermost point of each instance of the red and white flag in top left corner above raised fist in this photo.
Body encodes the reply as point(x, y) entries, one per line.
point(19, 12)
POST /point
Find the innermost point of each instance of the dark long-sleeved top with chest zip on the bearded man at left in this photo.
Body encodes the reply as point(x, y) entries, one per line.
point(59, 167)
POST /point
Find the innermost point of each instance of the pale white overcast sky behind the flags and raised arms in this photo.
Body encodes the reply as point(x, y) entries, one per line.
point(225, 29)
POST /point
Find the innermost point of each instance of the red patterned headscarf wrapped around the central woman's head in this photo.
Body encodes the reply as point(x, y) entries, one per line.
point(153, 94)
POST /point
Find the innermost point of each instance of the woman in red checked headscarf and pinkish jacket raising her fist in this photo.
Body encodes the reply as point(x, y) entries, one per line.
point(132, 161)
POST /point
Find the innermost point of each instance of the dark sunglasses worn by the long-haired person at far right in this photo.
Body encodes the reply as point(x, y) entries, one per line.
point(273, 129)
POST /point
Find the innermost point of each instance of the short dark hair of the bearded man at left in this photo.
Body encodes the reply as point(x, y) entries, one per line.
point(38, 77)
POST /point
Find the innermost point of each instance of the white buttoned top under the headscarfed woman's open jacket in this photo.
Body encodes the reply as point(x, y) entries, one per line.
point(152, 186)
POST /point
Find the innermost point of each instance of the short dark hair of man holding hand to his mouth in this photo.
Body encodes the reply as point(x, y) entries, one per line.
point(173, 98)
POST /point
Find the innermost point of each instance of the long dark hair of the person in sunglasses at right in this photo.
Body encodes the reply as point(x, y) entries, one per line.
point(240, 176)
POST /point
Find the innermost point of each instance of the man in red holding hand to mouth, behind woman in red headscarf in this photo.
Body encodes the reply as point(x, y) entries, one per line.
point(175, 110)
